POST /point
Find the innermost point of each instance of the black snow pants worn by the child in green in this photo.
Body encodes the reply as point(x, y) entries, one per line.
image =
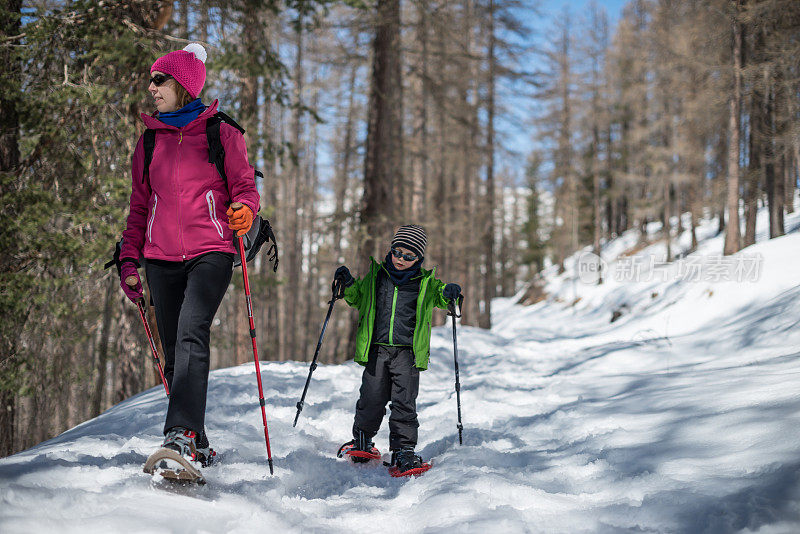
point(390, 374)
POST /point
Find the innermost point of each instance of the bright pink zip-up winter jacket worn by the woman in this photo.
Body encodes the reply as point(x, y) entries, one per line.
point(179, 213)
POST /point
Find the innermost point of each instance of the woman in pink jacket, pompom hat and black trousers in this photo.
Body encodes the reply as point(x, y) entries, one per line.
point(176, 222)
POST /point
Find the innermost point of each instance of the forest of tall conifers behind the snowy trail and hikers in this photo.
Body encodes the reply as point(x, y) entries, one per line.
point(516, 136)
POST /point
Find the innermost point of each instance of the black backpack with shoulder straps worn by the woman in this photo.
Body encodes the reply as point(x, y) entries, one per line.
point(261, 231)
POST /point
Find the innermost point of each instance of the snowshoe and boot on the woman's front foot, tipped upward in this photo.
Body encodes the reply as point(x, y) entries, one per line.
point(177, 459)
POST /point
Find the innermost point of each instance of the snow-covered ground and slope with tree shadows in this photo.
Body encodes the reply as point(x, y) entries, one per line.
point(681, 416)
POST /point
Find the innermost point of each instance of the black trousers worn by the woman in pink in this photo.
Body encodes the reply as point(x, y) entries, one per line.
point(186, 296)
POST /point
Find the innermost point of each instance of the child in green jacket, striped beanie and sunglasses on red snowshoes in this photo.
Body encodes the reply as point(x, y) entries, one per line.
point(395, 302)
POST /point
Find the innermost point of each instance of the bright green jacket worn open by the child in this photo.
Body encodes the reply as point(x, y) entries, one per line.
point(361, 295)
